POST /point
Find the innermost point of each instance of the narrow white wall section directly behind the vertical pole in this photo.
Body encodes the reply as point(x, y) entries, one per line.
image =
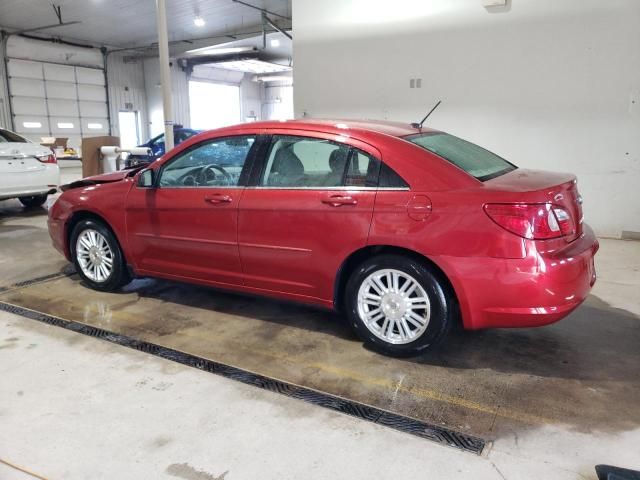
point(179, 90)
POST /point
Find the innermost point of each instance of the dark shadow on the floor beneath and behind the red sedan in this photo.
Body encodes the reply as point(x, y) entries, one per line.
point(596, 342)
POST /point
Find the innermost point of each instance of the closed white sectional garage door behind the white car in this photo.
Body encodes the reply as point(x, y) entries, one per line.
point(51, 99)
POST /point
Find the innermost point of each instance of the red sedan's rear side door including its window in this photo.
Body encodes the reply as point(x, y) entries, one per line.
point(309, 206)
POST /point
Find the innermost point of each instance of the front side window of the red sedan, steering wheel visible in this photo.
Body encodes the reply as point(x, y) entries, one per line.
point(215, 163)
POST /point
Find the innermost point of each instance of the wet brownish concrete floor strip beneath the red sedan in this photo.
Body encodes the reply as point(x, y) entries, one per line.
point(490, 383)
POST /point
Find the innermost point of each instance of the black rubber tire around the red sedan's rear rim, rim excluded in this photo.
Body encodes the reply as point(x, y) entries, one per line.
point(442, 305)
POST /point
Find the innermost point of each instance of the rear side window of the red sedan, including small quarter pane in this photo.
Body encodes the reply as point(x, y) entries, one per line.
point(302, 162)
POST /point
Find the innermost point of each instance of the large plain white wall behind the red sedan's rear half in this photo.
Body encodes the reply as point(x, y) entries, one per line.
point(546, 84)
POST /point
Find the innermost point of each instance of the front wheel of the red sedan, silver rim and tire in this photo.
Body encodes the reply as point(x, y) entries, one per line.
point(97, 256)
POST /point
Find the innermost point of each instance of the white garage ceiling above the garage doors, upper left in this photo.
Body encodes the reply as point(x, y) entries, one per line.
point(123, 23)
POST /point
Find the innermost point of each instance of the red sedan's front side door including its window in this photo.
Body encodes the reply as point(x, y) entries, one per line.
point(186, 226)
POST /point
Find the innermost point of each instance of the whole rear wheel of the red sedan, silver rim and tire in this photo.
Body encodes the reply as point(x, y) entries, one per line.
point(399, 306)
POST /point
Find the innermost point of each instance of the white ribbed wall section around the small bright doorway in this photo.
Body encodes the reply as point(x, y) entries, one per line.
point(125, 80)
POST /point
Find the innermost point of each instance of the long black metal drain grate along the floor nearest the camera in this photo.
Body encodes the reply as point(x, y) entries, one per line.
point(419, 428)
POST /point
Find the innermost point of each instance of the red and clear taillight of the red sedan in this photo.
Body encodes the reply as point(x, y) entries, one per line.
point(535, 221)
